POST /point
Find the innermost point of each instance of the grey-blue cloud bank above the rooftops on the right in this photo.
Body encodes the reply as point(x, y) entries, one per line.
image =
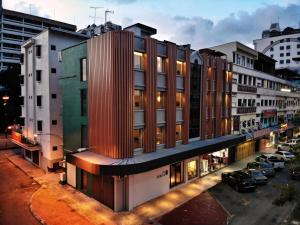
point(241, 26)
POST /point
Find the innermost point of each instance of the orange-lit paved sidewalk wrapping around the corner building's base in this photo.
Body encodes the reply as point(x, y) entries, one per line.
point(57, 204)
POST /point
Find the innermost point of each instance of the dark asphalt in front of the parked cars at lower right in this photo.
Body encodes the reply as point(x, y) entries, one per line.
point(255, 208)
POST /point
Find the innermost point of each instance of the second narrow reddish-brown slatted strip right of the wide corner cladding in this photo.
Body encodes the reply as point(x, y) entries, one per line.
point(171, 95)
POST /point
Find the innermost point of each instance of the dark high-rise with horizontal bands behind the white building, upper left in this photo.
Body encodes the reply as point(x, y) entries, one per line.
point(16, 28)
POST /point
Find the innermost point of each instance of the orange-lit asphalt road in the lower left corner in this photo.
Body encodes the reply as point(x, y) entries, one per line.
point(16, 189)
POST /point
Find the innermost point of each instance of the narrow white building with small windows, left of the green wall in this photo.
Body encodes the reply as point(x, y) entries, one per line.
point(40, 96)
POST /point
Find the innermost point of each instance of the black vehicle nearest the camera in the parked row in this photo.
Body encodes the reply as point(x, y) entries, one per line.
point(239, 180)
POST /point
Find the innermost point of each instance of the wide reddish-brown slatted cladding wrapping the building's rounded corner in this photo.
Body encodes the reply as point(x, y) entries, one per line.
point(110, 94)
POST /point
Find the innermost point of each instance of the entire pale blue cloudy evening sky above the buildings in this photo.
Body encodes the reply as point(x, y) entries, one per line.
point(202, 23)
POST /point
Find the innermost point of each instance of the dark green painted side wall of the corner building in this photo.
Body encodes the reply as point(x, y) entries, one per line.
point(71, 86)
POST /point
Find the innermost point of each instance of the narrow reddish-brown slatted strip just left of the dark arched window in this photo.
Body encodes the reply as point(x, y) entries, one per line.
point(186, 109)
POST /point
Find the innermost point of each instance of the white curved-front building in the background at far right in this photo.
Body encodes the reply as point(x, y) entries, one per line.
point(281, 45)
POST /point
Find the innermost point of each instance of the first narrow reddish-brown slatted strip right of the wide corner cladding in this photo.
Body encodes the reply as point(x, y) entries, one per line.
point(150, 95)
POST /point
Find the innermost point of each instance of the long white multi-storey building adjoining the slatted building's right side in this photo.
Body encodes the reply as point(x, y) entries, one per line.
point(260, 100)
